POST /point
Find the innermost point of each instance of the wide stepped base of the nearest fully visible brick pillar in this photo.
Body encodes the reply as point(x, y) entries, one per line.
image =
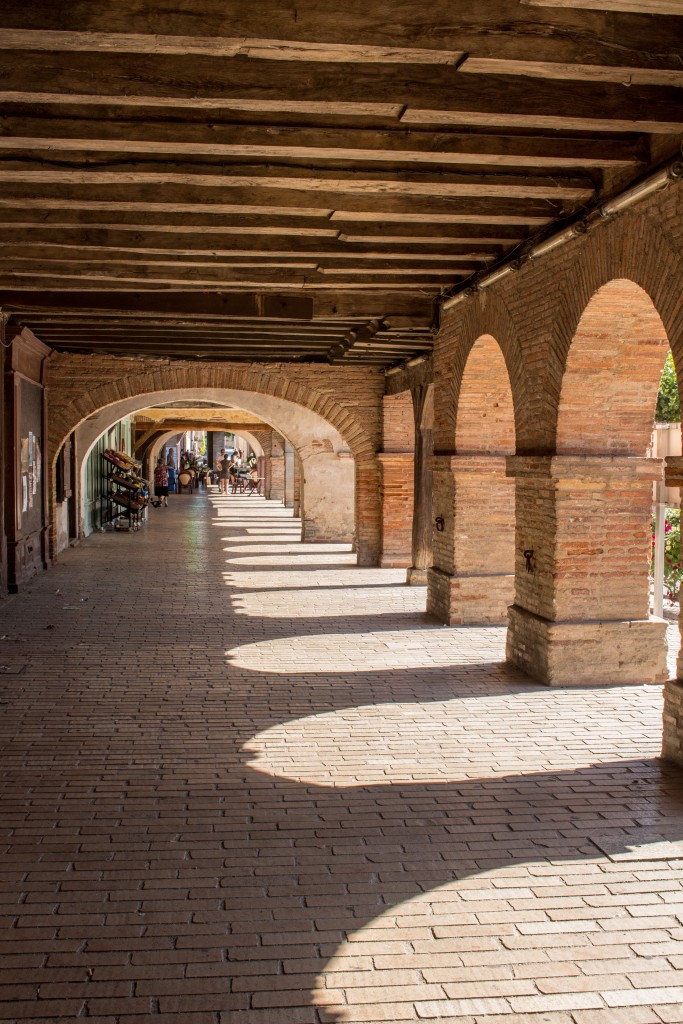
point(589, 654)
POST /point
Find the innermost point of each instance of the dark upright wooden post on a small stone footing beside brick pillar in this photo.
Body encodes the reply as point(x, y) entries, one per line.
point(422, 491)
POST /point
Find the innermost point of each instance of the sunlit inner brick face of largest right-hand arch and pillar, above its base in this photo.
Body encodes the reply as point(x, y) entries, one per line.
point(607, 414)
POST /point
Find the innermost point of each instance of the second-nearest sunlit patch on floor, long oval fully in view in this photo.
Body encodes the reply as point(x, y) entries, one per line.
point(471, 736)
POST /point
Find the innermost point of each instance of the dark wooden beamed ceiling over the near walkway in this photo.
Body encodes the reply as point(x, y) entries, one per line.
point(300, 181)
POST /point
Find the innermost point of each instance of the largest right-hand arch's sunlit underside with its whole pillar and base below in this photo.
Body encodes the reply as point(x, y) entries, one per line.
point(588, 584)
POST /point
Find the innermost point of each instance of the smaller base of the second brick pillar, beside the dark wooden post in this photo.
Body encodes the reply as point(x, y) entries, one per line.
point(469, 601)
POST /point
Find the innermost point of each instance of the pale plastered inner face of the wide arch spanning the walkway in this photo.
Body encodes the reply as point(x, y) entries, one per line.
point(328, 485)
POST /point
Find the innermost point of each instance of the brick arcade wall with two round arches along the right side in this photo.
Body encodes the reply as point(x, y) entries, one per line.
point(562, 363)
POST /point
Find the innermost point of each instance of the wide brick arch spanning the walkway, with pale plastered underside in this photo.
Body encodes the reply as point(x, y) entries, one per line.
point(337, 452)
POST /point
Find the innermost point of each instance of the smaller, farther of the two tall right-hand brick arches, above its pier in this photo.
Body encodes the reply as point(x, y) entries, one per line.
point(484, 330)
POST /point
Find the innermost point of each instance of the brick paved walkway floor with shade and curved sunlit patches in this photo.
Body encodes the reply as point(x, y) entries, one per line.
point(245, 783)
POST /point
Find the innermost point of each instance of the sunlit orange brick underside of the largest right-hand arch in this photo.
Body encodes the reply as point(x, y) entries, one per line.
point(612, 374)
